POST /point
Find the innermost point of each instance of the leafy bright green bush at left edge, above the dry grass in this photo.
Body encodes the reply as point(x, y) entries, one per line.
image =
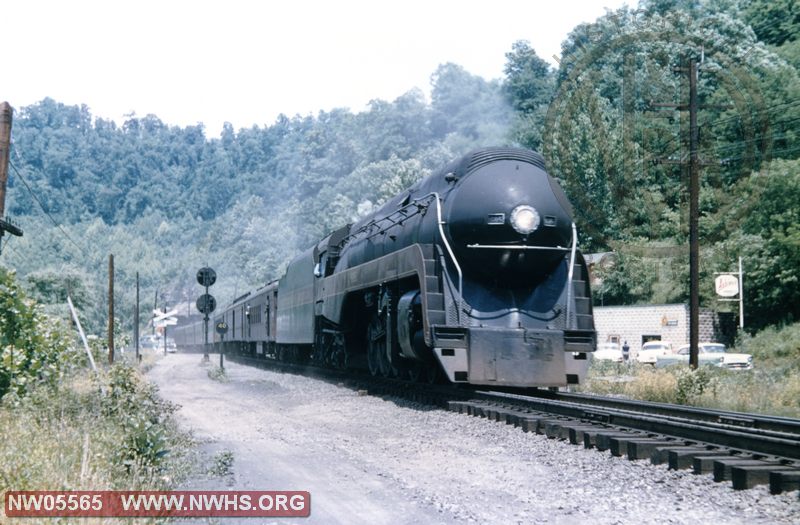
point(33, 348)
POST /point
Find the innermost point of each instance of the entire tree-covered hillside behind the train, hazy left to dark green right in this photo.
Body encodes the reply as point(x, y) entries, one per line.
point(167, 200)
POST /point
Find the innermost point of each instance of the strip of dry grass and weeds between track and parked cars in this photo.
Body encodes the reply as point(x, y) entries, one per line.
point(772, 387)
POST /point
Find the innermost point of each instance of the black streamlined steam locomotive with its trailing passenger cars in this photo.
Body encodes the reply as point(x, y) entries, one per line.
point(473, 274)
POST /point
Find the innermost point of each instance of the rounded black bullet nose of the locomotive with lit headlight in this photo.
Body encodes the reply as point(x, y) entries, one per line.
point(510, 222)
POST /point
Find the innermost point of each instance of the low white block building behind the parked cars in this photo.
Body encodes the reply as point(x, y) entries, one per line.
point(659, 322)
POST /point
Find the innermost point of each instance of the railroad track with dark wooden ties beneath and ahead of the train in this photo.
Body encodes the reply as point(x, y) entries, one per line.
point(745, 449)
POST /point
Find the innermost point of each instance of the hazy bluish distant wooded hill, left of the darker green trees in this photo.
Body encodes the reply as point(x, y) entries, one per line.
point(166, 200)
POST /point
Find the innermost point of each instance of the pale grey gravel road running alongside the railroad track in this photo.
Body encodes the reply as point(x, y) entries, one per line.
point(374, 461)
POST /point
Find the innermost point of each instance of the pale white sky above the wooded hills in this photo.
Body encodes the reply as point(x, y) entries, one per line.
point(247, 61)
